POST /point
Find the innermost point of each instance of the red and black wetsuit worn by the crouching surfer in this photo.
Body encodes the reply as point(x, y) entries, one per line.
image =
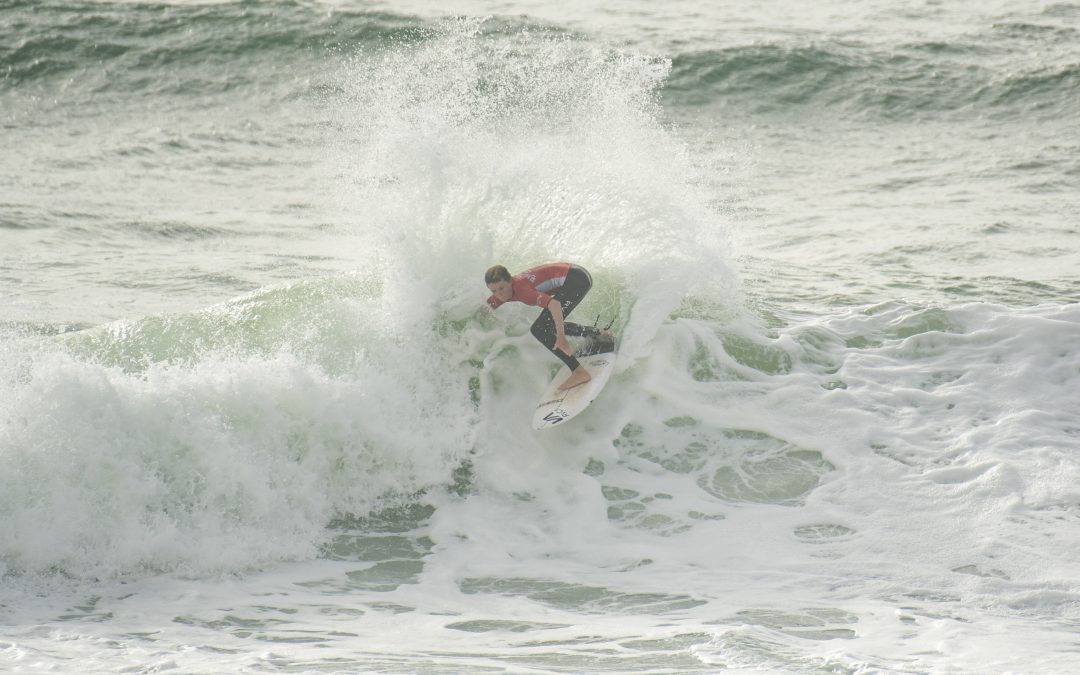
point(561, 281)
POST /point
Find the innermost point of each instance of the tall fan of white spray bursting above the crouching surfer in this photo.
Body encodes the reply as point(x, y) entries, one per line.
point(480, 143)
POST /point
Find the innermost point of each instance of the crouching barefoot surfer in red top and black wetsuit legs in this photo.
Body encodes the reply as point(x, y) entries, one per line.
point(558, 288)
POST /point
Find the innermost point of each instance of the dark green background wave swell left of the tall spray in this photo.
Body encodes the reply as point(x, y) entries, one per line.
point(125, 48)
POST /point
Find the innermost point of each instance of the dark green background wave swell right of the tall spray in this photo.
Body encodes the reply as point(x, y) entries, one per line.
point(975, 75)
